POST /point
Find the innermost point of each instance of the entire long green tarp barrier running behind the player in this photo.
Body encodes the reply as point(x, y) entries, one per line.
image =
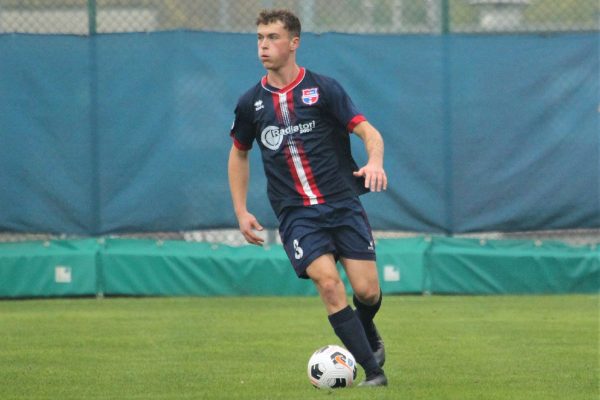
point(175, 268)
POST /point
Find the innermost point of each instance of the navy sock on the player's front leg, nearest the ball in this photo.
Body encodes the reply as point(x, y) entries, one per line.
point(350, 331)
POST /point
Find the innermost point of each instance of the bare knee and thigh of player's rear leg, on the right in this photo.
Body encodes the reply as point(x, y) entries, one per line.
point(364, 278)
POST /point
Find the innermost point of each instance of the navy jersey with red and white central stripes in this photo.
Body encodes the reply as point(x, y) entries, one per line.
point(303, 134)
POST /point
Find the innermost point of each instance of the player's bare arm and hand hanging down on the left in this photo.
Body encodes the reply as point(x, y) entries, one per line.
point(238, 169)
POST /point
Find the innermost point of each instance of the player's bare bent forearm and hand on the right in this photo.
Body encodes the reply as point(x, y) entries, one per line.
point(375, 178)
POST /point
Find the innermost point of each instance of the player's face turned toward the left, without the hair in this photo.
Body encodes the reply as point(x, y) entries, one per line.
point(275, 46)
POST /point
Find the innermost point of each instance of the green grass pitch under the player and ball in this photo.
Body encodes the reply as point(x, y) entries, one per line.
point(529, 347)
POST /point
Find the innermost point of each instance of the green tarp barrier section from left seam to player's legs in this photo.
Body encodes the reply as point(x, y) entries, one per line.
point(137, 267)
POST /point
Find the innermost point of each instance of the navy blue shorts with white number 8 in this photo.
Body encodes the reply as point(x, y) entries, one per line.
point(340, 228)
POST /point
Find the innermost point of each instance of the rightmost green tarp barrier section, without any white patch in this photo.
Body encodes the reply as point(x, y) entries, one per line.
point(511, 266)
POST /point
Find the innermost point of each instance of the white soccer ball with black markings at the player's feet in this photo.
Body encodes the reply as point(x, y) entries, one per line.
point(331, 367)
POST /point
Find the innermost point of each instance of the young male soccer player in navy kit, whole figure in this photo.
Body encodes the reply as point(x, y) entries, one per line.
point(302, 121)
